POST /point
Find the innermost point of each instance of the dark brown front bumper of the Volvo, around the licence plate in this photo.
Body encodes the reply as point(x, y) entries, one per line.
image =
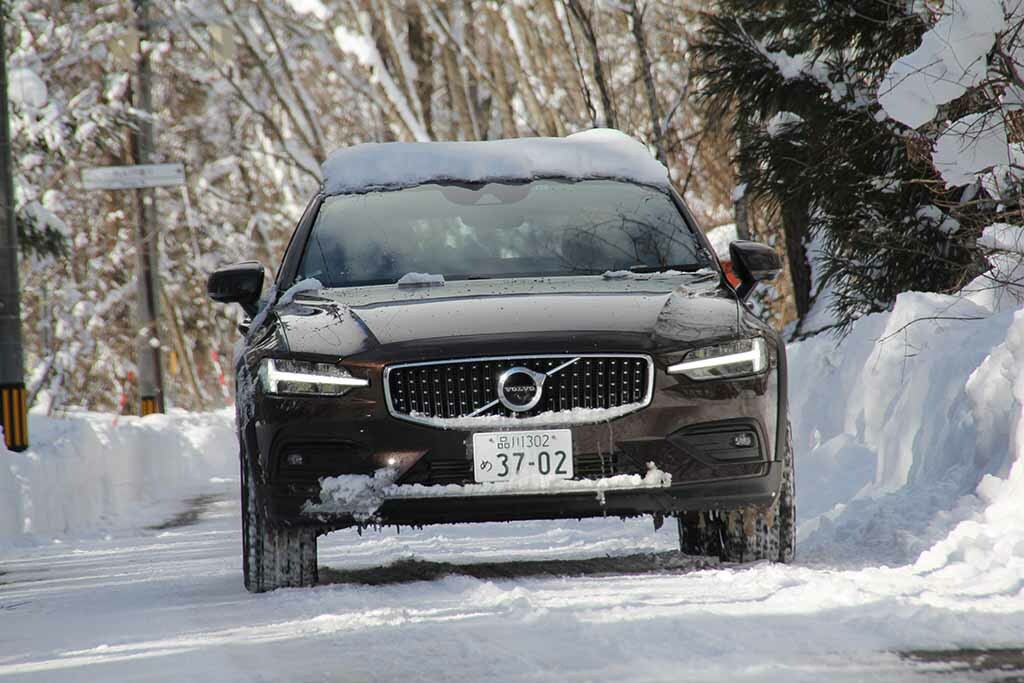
point(677, 433)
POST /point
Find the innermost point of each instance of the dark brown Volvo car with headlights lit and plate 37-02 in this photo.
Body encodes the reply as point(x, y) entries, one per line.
point(516, 349)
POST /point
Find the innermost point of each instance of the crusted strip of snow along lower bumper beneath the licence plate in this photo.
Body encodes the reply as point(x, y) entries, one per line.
point(361, 495)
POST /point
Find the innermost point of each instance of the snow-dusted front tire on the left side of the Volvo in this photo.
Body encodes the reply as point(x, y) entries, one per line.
point(273, 557)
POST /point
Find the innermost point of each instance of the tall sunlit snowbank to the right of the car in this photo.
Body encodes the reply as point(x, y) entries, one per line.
point(912, 426)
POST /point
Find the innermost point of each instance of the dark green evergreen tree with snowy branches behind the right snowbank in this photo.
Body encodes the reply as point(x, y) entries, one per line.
point(798, 80)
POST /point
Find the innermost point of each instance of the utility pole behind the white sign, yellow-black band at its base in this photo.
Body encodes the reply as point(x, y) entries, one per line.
point(147, 241)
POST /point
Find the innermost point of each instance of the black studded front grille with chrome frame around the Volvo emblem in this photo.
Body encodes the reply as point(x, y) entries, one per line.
point(452, 390)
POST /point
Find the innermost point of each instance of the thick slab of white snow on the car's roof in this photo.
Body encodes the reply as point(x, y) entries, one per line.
point(602, 153)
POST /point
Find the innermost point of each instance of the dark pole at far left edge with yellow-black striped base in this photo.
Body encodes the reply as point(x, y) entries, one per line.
point(14, 412)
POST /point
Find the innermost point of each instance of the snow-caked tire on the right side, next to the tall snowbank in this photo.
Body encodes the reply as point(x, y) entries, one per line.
point(751, 534)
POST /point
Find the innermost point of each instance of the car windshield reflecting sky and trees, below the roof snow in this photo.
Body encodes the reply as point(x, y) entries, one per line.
point(539, 229)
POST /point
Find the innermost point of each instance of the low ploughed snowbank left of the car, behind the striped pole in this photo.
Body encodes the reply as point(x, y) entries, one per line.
point(84, 475)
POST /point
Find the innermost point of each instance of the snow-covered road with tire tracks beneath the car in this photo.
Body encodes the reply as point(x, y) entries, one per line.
point(168, 605)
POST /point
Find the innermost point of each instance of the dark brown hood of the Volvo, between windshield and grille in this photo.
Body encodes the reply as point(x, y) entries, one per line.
point(474, 318)
